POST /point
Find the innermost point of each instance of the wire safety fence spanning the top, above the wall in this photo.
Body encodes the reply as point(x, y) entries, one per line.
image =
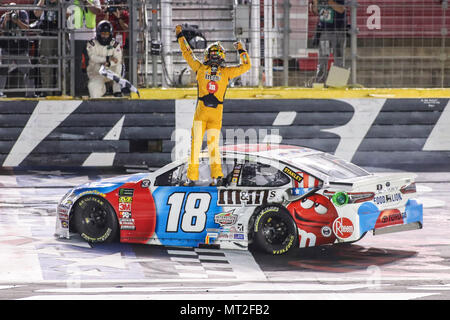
point(389, 43)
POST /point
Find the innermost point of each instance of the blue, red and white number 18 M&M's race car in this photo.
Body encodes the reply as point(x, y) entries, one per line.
point(274, 197)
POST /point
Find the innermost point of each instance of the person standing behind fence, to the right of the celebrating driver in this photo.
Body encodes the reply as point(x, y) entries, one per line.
point(330, 33)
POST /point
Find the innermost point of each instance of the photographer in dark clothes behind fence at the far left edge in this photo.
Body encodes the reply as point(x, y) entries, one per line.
point(15, 51)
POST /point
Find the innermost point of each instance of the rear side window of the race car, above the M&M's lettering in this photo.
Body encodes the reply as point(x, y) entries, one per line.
point(255, 174)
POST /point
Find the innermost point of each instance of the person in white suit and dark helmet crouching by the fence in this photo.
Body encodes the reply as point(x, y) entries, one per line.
point(105, 51)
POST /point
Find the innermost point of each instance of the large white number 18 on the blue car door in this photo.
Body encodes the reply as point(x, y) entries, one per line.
point(193, 219)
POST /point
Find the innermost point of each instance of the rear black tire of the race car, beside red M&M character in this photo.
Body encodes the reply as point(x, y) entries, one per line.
point(274, 230)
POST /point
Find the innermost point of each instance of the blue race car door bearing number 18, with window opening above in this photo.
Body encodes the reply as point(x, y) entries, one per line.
point(185, 214)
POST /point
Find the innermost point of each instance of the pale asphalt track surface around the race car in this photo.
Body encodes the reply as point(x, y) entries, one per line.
point(36, 266)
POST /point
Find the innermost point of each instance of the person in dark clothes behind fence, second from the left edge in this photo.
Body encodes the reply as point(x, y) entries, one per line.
point(48, 48)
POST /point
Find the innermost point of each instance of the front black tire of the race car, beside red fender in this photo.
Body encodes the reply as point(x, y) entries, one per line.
point(95, 220)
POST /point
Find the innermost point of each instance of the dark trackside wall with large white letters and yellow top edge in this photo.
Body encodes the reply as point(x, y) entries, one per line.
point(394, 129)
